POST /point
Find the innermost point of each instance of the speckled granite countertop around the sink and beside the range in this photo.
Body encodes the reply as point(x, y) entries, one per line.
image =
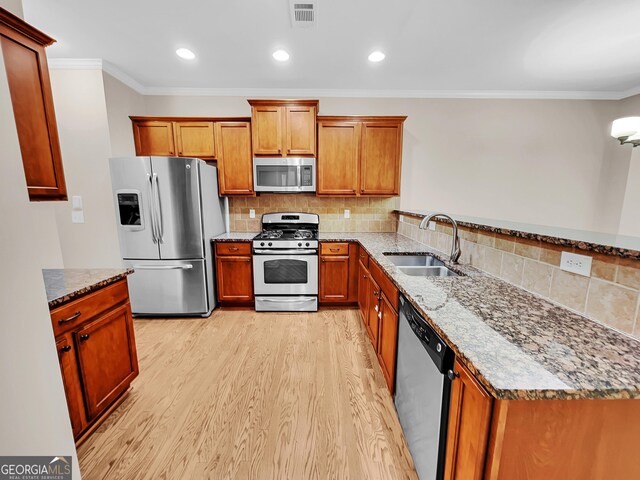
point(518, 345)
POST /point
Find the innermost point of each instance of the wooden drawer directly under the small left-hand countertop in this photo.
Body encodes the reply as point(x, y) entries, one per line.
point(87, 307)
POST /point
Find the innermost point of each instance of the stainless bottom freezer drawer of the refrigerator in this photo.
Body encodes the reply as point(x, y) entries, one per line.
point(168, 287)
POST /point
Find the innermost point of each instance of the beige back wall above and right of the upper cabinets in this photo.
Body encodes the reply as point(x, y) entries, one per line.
point(548, 162)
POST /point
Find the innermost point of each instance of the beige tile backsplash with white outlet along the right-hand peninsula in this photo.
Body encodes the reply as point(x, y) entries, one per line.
point(611, 295)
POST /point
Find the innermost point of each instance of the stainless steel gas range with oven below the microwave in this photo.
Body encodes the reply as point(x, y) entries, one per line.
point(285, 263)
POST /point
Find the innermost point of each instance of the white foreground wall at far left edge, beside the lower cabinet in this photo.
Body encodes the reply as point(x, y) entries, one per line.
point(33, 416)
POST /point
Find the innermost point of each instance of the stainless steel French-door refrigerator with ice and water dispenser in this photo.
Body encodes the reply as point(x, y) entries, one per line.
point(167, 211)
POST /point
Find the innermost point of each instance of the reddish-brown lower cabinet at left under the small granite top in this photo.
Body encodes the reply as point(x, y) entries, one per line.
point(97, 353)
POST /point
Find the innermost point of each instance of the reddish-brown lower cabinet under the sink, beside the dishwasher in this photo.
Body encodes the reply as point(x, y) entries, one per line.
point(377, 302)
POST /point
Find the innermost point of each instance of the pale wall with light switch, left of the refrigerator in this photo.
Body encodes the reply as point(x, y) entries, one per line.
point(81, 113)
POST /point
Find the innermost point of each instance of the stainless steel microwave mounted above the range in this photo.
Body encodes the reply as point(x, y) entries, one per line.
point(284, 174)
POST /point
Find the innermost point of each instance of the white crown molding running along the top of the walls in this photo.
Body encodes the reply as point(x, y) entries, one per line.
point(114, 71)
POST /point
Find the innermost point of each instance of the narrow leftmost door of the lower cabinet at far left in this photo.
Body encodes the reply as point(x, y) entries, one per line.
point(71, 381)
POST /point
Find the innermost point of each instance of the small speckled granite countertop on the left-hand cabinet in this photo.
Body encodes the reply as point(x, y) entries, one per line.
point(65, 284)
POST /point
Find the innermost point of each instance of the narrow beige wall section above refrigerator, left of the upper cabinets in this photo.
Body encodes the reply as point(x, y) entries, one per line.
point(122, 102)
